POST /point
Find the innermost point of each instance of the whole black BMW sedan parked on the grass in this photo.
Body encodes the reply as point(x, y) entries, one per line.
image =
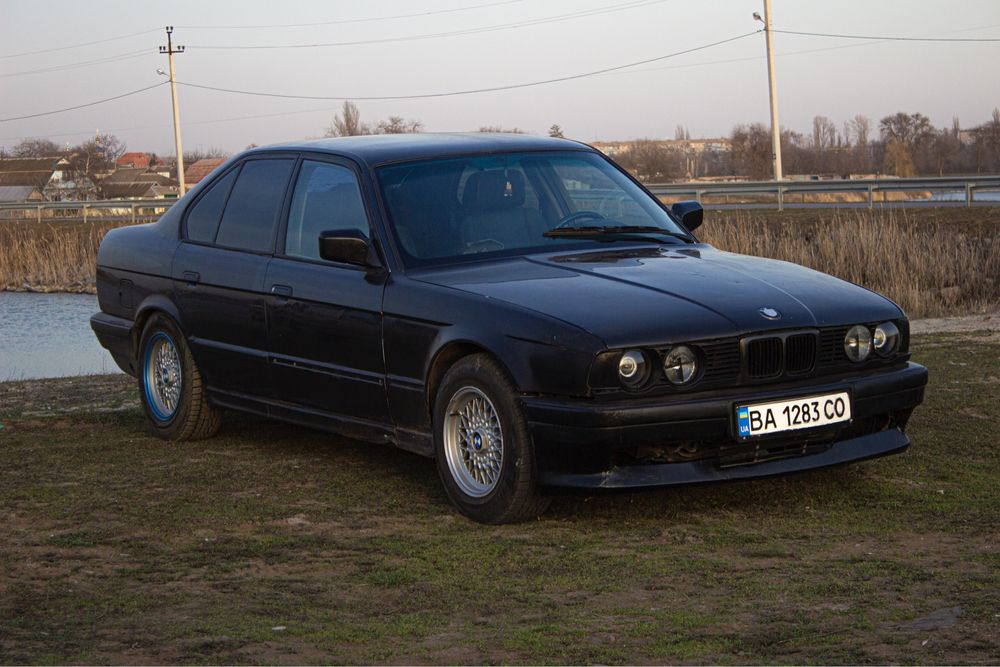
point(519, 309)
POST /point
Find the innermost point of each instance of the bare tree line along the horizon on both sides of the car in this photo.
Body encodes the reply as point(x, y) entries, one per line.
point(900, 144)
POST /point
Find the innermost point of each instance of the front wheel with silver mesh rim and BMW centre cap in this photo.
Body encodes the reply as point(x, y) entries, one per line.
point(478, 420)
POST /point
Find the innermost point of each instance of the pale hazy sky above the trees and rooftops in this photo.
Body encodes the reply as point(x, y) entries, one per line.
point(500, 43)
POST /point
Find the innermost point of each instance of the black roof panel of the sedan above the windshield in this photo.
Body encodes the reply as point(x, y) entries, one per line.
point(382, 148)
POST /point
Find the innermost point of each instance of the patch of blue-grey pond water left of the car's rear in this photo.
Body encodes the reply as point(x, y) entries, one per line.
point(48, 335)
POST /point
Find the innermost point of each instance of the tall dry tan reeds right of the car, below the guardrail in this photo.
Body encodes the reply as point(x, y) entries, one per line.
point(930, 269)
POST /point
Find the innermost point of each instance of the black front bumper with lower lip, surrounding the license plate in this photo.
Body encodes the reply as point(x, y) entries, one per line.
point(685, 439)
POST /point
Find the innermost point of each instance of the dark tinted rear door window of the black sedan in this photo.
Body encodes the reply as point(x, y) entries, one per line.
point(252, 212)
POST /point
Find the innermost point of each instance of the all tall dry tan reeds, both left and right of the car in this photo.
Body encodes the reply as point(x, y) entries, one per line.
point(930, 269)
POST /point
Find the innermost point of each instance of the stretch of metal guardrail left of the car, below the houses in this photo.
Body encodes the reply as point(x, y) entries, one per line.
point(114, 210)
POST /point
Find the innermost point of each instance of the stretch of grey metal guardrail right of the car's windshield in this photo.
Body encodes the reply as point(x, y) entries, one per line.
point(965, 185)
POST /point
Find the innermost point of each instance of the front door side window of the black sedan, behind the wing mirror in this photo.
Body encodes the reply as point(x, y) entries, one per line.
point(326, 197)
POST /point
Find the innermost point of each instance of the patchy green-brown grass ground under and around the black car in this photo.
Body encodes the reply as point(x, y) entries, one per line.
point(275, 544)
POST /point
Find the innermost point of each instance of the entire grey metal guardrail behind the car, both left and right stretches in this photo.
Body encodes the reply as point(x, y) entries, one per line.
point(121, 210)
